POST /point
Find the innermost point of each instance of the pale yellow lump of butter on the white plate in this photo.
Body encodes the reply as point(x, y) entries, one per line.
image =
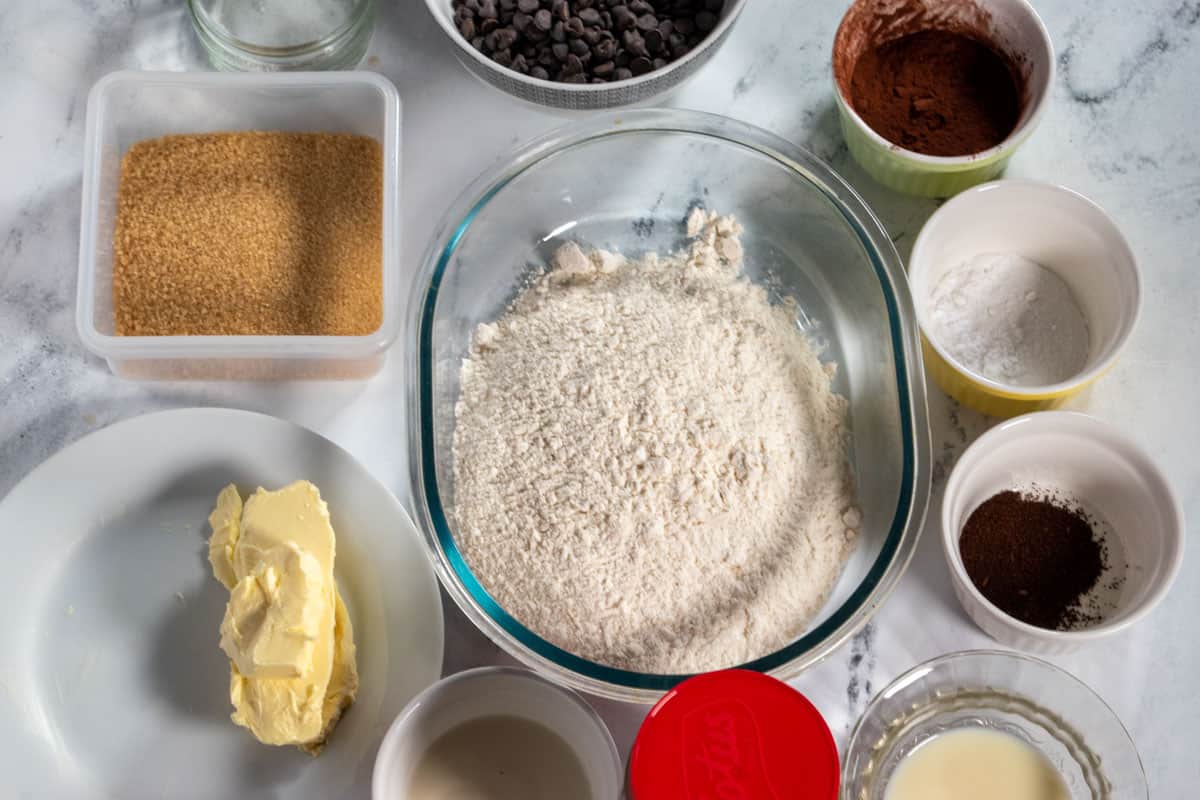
point(286, 630)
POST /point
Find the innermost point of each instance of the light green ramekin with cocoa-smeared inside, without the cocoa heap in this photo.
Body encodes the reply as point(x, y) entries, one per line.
point(1012, 27)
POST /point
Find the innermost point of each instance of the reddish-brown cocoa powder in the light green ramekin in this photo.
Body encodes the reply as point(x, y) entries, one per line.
point(938, 93)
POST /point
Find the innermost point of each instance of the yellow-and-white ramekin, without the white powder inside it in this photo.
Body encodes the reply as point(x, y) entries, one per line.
point(1055, 227)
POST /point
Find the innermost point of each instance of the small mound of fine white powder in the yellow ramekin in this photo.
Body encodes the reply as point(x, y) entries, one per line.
point(1010, 320)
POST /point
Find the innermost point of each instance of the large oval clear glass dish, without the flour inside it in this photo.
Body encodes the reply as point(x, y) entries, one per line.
point(626, 183)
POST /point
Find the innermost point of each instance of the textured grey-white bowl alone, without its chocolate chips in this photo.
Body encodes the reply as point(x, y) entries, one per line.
point(585, 97)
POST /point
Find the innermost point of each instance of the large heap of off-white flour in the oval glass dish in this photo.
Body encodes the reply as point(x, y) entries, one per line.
point(650, 461)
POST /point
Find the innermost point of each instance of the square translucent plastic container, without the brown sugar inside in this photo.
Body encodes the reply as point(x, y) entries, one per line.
point(129, 107)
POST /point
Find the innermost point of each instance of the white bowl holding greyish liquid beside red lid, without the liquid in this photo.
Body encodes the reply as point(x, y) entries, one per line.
point(493, 691)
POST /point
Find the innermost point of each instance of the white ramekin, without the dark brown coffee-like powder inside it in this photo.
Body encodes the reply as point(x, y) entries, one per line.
point(1109, 476)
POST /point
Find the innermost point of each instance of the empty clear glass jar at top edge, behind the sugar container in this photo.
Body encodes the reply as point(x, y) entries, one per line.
point(277, 35)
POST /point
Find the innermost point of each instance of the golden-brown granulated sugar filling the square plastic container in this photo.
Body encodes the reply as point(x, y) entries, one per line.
point(256, 233)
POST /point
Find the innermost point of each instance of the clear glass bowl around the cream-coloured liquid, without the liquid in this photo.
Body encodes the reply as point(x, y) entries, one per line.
point(1009, 693)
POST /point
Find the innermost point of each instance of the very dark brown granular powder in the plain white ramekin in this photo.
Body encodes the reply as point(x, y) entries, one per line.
point(1035, 558)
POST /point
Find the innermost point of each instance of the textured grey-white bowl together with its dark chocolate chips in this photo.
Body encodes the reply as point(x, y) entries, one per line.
point(585, 55)
